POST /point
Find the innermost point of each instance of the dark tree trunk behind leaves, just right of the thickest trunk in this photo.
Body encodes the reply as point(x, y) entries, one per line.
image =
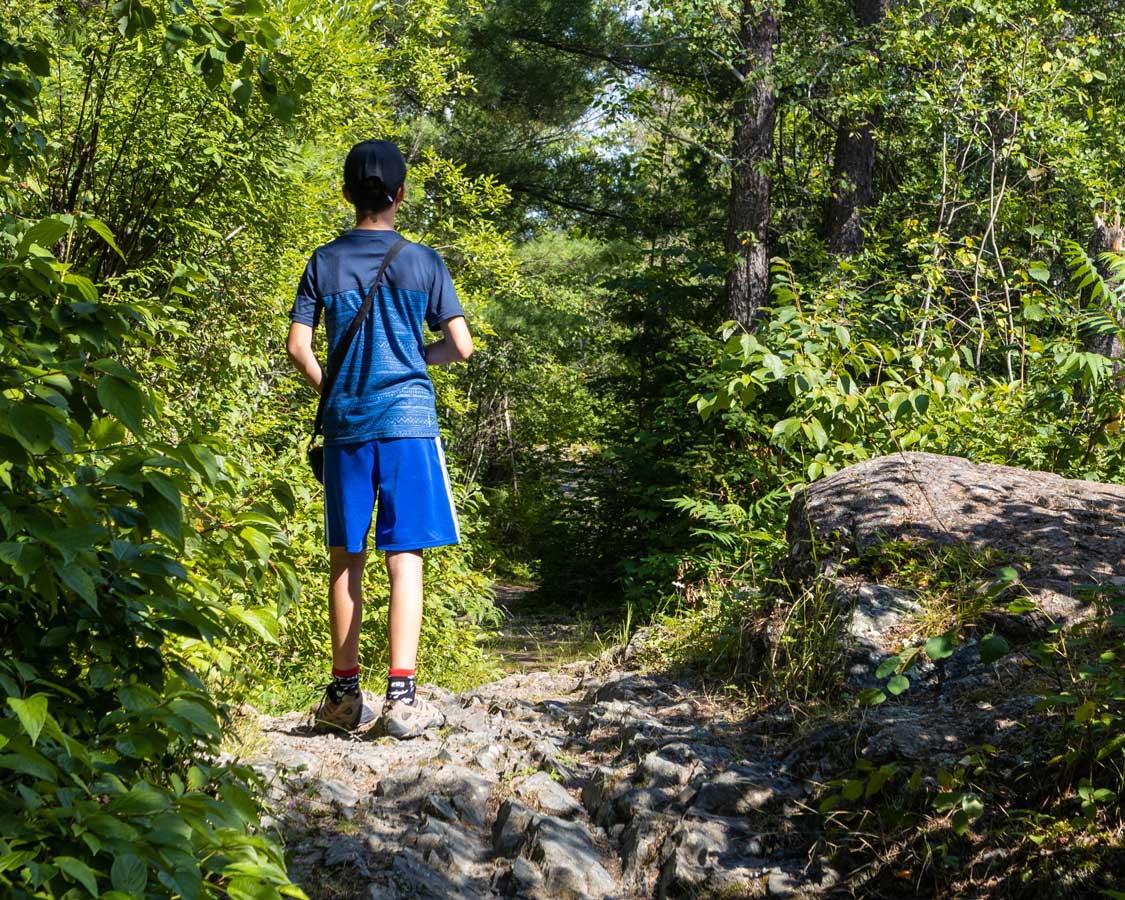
point(854, 161)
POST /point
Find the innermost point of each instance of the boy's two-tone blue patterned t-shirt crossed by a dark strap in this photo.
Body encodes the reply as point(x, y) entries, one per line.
point(383, 390)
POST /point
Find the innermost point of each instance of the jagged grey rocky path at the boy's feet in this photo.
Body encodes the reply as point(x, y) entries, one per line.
point(588, 781)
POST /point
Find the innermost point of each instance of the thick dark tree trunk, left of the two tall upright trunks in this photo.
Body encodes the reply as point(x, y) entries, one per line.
point(754, 111)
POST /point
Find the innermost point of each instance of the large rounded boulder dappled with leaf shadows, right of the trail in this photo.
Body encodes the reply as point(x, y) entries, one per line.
point(1069, 534)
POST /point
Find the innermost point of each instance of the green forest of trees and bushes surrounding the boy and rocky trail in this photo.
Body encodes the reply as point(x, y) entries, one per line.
point(713, 251)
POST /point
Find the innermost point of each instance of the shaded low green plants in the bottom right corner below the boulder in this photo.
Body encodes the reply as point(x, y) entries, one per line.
point(1055, 807)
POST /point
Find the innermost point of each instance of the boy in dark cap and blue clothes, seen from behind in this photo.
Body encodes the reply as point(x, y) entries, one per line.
point(381, 430)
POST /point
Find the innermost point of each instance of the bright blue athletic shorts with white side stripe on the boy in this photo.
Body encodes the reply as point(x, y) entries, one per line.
point(407, 478)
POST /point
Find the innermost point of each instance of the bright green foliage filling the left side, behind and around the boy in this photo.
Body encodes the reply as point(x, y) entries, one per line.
point(165, 170)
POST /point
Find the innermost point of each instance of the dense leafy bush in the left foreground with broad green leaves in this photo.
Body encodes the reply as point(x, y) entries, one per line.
point(110, 784)
